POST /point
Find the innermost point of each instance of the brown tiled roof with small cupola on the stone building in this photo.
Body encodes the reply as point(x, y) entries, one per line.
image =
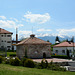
point(33, 40)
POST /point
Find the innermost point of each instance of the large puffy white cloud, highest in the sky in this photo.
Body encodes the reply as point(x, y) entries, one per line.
point(37, 18)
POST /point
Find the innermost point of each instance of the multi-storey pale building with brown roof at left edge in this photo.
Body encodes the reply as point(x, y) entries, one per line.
point(5, 39)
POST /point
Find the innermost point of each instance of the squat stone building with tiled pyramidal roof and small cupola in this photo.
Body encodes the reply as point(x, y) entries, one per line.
point(33, 48)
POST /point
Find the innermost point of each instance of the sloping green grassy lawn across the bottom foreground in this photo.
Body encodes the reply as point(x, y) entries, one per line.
point(18, 70)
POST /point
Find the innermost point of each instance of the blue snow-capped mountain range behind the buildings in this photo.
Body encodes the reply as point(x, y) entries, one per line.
point(52, 38)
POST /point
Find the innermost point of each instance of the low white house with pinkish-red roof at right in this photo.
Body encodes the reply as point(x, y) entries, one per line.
point(64, 48)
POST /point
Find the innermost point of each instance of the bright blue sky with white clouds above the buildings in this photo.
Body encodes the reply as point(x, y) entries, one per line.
point(42, 17)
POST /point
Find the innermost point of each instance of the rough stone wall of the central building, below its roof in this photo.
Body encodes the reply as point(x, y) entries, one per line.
point(34, 51)
